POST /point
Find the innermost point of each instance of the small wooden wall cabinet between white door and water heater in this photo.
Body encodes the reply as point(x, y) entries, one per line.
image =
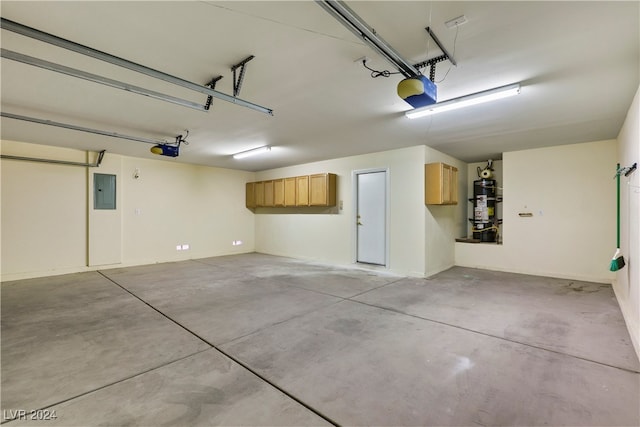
point(440, 184)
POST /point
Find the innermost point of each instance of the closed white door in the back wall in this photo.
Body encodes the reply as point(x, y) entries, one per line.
point(371, 218)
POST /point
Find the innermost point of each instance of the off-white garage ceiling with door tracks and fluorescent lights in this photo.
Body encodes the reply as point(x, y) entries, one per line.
point(578, 63)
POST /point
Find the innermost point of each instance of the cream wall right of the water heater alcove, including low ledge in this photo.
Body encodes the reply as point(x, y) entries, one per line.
point(570, 192)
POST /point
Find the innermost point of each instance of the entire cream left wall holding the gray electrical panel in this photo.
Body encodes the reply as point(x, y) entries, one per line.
point(49, 225)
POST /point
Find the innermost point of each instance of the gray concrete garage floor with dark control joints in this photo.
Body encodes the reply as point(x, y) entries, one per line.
point(262, 340)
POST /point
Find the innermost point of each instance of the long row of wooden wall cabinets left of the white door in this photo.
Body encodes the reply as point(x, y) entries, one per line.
point(306, 190)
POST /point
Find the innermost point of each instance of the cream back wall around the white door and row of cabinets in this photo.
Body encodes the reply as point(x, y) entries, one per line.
point(328, 235)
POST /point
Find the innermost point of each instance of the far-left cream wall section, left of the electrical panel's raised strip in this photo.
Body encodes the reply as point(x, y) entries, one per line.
point(44, 211)
